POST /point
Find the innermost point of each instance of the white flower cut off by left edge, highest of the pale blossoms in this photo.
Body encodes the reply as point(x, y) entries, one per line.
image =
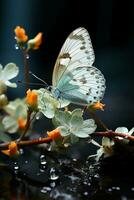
point(10, 71)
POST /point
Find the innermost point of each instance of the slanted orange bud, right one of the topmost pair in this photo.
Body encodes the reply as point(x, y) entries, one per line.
point(35, 42)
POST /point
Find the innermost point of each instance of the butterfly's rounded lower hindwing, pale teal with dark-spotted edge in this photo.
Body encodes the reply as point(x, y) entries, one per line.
point(84, 85)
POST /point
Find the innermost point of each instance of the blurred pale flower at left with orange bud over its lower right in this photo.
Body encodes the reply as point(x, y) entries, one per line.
point(16, 119)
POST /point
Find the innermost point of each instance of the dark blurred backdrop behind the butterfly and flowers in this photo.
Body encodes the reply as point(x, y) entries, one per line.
point(111, 27)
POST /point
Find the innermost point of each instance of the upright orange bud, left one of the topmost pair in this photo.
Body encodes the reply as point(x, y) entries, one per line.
point(20, 34)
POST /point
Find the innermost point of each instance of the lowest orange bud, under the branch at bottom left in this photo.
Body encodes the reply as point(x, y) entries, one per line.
point(12, 149)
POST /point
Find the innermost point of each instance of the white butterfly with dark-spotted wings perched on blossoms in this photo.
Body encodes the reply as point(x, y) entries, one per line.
point(74, 78)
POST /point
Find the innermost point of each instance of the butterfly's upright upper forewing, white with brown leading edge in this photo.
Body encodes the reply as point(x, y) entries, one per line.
point(76, 50)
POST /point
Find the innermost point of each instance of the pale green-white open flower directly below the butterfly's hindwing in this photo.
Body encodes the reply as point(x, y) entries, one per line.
point(72, 124)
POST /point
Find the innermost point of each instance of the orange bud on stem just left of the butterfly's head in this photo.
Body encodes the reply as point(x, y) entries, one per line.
point(31, 98)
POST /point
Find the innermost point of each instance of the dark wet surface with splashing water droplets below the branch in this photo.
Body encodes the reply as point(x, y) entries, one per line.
point(44, 175)
